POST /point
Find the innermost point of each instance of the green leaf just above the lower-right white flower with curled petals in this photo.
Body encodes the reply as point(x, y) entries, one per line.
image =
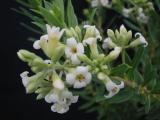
point(120, 69)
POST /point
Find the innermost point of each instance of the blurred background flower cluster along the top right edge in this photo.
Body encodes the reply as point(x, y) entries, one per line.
point(138, 11)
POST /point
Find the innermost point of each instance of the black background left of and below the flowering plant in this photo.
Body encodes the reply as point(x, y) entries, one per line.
point(14, 102)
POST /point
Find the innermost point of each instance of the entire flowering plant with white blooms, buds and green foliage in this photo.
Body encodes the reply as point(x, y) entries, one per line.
point(112, 65)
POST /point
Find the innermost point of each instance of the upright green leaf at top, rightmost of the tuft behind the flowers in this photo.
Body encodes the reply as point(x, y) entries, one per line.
point(71, 17)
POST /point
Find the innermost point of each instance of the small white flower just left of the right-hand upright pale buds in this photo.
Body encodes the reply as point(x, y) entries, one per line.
point(107, 43)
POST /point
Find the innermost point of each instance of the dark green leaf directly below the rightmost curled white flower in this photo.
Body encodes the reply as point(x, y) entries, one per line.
point(137, 58)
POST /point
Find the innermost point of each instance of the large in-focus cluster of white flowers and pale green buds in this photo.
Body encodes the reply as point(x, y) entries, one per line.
point(73, 58)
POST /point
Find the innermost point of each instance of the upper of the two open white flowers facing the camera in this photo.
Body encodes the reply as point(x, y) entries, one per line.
point(73, 48)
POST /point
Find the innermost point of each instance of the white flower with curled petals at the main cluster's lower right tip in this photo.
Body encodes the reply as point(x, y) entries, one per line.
point(113, 88)
